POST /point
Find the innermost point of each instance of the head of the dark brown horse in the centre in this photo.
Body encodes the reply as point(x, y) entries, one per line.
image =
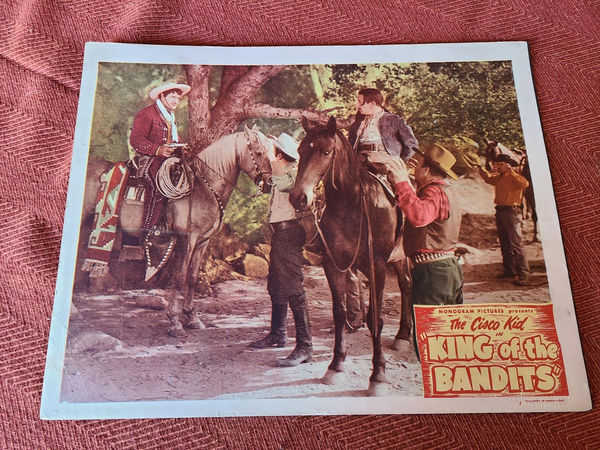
point(324, 155)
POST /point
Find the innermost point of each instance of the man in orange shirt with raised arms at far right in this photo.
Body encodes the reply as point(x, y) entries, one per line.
point(509, 193)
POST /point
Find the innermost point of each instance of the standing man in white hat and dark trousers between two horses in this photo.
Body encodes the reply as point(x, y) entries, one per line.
point(285, 267)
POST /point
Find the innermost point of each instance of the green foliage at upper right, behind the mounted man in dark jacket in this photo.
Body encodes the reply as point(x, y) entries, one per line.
point(439, 100)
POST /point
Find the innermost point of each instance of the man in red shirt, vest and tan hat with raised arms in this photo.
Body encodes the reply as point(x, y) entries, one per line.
point(431, 230)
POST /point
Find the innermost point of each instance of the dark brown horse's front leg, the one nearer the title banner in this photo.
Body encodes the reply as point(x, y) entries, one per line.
point(378, 380)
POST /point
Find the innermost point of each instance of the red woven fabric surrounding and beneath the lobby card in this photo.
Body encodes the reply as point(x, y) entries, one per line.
point(41, 55)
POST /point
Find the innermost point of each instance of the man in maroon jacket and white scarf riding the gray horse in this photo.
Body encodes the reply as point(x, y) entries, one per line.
point(152, 135)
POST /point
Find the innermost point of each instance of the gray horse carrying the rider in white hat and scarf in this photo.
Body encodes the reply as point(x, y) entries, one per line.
point(196, 217)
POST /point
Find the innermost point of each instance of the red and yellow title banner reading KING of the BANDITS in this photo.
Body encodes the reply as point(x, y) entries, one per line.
point(490, 350)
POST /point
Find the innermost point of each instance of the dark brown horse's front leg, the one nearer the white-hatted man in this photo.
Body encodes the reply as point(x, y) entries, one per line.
point(337, 284)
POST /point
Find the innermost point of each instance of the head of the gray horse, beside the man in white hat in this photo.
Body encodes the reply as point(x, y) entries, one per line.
point(255, 161)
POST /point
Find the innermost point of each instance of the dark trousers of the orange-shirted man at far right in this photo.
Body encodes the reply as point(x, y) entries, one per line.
point(508, 222)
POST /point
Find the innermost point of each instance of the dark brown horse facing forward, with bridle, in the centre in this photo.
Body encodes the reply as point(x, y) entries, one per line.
point(356, 206)
